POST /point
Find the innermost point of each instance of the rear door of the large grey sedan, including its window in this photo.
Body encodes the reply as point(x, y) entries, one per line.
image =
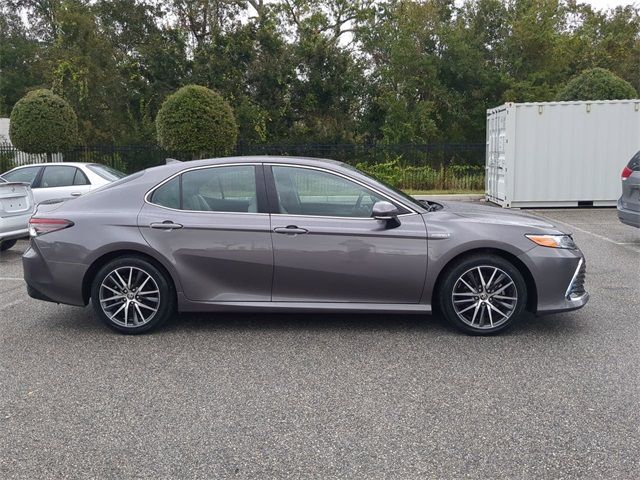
point(212, 224)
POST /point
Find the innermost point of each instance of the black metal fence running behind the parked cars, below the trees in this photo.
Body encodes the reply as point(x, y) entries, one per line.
point(408, 166)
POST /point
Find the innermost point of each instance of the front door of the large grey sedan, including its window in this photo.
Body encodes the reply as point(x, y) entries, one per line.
point(327, 248)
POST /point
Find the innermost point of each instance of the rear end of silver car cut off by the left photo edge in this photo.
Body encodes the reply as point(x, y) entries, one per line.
point(16, 207)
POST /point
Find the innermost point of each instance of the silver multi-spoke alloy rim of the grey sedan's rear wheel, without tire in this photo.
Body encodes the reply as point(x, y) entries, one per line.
point(129, 296)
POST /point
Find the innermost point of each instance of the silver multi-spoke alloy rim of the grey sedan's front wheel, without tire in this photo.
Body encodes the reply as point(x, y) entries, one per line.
point(484, 297)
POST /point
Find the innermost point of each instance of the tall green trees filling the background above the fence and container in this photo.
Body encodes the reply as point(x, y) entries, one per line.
point(296, 71)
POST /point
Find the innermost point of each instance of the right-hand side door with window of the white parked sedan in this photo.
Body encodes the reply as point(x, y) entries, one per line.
point(61, 181)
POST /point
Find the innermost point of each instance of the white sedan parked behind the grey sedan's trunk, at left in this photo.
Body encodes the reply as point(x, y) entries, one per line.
point(52, 181)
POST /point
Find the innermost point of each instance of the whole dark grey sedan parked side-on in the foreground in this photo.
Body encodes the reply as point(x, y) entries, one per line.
point(293, 234)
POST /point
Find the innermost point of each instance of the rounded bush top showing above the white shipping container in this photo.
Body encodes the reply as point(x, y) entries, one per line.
point(597, 84)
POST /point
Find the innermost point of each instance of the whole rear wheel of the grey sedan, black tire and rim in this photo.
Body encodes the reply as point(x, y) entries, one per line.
point(103, 283)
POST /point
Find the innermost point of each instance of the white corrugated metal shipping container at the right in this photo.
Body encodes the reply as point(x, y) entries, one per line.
point(559, 154)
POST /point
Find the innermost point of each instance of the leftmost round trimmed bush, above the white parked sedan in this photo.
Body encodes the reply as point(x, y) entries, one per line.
point(43, 122)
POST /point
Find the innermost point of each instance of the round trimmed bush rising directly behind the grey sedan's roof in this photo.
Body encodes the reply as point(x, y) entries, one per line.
point(196, 122)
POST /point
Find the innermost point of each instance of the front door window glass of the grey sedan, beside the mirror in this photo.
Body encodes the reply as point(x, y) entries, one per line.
point(303, 191)
